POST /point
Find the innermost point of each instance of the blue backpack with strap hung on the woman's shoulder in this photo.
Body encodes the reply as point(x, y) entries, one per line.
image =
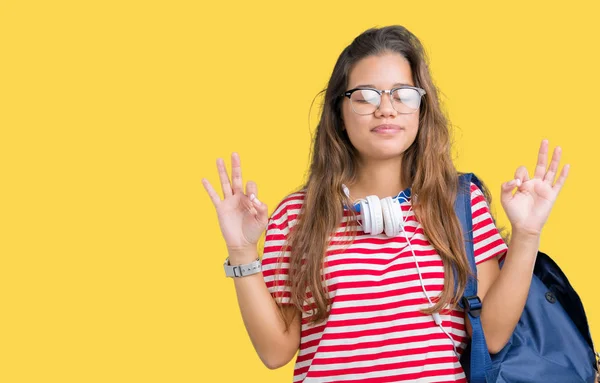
point(551, 342)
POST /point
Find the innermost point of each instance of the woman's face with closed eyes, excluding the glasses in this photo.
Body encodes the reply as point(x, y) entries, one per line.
point(380, 72)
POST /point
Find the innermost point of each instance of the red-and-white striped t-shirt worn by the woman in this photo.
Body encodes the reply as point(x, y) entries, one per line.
point(375, 331)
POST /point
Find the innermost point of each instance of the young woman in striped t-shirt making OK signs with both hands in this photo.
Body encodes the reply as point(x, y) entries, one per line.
point(362, 305)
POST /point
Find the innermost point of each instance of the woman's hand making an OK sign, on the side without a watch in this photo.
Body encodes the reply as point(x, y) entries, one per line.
point(529, 207)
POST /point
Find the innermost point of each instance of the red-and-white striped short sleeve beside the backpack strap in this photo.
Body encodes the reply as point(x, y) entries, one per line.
point(487, 242)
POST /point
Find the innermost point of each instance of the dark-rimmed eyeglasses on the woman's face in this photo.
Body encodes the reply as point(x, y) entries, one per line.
point(405, 99)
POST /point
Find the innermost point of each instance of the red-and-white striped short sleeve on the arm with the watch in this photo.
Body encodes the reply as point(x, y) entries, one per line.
point(276, 253)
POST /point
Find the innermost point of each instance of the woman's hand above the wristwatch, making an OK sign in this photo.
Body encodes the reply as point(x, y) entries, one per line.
point(242, 217)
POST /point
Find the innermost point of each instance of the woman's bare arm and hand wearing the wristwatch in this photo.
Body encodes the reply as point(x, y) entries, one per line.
point(242, 219)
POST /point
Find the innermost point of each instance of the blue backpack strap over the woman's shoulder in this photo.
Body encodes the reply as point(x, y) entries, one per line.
point(480, 360)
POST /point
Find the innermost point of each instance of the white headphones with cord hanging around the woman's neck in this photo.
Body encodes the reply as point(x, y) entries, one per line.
point(385, 214)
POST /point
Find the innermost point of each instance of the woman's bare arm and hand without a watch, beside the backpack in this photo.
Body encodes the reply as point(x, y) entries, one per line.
point(504, 292)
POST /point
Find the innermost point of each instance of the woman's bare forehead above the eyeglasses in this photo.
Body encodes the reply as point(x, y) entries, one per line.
point(382, 71)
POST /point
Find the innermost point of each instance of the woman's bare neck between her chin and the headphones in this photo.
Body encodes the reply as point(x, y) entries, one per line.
point(381, 178)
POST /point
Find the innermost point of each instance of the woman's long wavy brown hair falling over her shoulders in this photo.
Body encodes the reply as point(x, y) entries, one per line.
point(426, 165)
